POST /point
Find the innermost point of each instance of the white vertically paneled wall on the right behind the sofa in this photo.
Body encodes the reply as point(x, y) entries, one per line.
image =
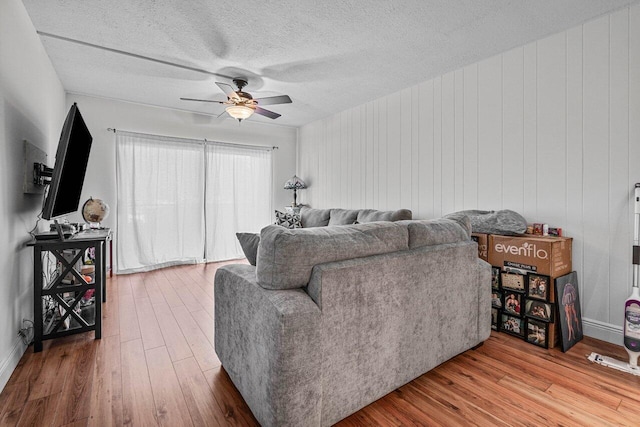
point(551, 130)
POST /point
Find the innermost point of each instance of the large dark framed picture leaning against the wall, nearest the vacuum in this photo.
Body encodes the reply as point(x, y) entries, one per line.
point(569, 310)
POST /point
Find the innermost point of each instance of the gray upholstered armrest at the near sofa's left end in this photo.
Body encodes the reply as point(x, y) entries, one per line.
point(269, 343)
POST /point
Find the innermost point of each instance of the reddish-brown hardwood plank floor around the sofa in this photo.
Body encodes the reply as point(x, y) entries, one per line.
point(156, 365)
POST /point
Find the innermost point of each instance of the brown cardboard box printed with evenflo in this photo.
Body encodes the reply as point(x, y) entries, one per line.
point(550, 256)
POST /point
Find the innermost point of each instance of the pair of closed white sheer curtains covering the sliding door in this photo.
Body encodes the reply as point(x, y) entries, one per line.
point(182, 201)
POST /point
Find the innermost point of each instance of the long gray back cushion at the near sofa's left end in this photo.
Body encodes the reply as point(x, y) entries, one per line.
point(286, 257)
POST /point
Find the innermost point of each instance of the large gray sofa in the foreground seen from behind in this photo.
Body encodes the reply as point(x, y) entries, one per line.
point(333, 318)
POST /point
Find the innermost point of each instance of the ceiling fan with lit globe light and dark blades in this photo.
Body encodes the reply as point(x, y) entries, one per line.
point(241, 105)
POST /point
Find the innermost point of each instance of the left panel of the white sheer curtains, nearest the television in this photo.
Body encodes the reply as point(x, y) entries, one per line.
point(160, 212)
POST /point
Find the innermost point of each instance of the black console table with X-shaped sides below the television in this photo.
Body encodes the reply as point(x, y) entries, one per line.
point(70, 302)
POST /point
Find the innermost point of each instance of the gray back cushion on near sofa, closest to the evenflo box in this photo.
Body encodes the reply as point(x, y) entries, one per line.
point(437, 232)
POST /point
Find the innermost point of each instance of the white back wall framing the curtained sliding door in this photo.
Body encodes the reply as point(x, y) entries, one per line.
point(100, 114)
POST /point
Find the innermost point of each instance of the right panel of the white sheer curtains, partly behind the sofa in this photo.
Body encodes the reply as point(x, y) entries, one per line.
point(238, 197)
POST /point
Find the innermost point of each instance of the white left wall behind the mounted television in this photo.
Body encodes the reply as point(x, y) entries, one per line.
point(32, 108)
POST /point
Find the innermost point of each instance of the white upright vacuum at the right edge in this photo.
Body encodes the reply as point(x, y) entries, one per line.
point(631, 307)
